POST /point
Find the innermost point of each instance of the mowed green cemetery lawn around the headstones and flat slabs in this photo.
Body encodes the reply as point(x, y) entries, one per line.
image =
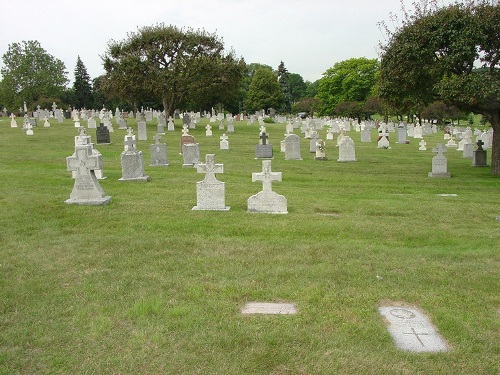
point(145, 285)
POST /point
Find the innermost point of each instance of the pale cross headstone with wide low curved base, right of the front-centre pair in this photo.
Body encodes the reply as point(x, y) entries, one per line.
point(267, 201)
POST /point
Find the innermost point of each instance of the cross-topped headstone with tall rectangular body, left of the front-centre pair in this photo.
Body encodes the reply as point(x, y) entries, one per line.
point(210, 193)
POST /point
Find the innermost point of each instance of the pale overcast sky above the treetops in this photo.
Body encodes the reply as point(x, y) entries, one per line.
point(309, 36)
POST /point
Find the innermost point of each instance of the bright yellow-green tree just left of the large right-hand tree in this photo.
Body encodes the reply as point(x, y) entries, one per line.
point(350, 80)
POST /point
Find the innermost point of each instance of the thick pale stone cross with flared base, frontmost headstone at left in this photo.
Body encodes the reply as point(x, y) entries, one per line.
point(86, 189)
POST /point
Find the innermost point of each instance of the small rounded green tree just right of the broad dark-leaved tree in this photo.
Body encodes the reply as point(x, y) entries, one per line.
point(264, 91)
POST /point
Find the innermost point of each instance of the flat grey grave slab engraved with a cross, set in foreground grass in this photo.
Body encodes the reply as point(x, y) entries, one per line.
point(411, 330)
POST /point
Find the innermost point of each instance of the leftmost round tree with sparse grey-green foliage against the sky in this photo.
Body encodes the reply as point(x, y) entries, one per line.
point(30, 73)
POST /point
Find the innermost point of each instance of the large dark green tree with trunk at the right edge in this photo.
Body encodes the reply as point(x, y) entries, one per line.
point(450, 54)
